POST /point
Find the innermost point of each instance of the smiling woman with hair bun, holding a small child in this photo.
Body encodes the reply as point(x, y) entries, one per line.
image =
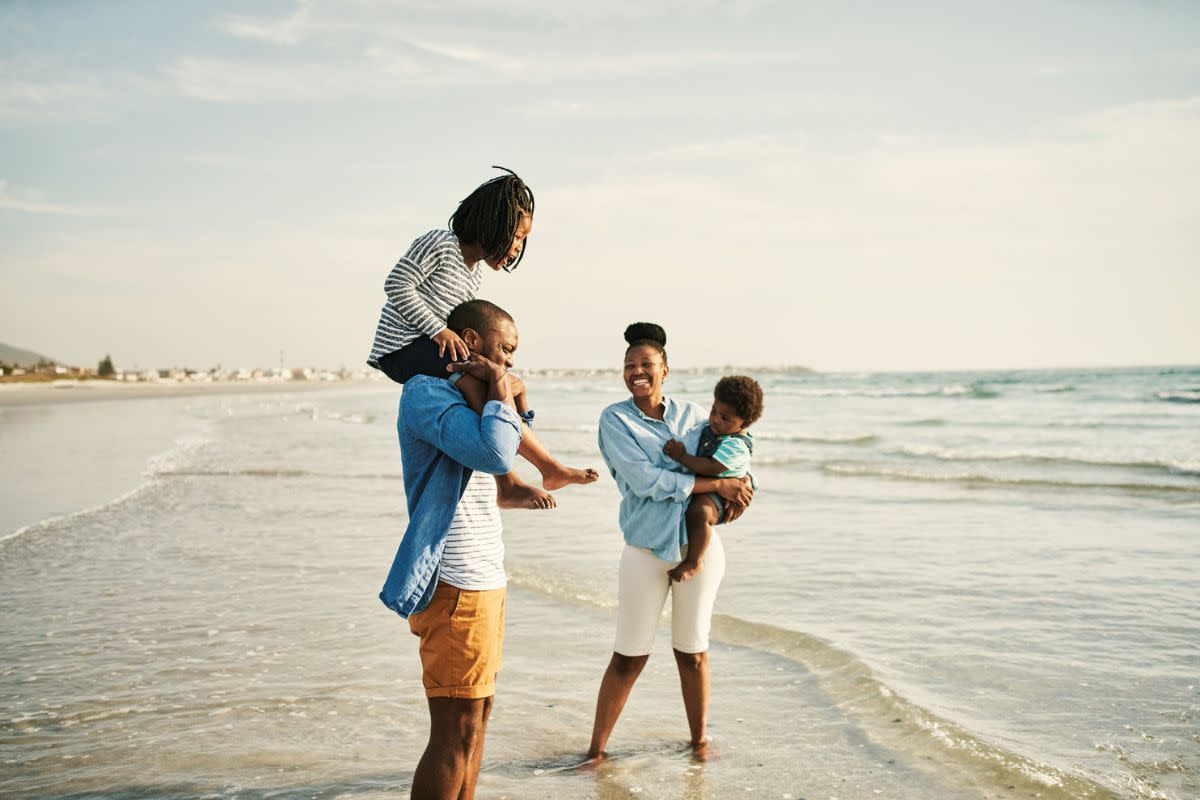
point(655, 497)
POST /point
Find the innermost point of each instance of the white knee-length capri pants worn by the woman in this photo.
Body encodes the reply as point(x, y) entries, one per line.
point(643, 587)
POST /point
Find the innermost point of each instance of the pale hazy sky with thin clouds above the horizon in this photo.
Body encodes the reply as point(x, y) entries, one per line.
point(848, 187)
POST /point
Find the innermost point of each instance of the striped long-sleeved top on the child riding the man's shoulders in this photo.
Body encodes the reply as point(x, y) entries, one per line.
point(424, 287)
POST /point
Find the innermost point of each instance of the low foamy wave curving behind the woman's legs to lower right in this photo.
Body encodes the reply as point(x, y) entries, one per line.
point(889, 718)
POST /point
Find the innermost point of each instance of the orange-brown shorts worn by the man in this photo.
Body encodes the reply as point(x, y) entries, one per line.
point(463, 635)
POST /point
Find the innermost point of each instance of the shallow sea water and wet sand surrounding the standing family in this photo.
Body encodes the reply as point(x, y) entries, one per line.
point(976, 585)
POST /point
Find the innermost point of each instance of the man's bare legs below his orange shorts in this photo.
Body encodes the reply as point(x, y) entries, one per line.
point(457, 732)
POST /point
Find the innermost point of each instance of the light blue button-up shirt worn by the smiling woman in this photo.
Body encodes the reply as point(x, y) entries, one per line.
point(655, 489)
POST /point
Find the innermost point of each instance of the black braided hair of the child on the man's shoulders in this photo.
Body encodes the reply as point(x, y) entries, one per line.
point(490, 215)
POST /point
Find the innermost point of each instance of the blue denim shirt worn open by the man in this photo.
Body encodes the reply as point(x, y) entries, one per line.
point(441, 443)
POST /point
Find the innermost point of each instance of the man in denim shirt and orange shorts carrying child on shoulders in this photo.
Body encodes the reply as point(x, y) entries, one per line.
point(448, 579)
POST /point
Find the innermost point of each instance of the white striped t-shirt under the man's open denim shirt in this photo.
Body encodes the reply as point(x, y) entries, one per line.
point(475, 554)
